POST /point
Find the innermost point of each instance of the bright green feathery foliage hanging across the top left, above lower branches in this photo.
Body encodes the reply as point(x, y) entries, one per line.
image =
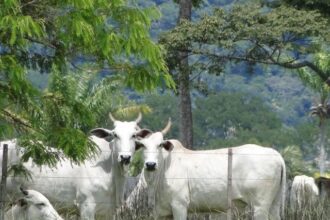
point(66, 29)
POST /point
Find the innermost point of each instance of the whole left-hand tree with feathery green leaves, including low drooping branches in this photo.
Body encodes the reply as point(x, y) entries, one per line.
point(58, 37)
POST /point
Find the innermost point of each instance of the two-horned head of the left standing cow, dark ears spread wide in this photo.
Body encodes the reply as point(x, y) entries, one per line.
point(123, 137)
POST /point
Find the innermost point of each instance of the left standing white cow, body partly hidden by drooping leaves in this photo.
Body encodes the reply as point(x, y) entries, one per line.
point(97, 186)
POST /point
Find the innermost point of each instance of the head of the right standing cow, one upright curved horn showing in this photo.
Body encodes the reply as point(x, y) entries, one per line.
point(152, 146)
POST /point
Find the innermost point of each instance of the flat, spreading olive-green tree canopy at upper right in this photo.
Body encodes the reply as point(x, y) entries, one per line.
point(249, 33)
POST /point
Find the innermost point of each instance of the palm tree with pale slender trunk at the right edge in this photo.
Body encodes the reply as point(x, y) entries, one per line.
point(322, 110)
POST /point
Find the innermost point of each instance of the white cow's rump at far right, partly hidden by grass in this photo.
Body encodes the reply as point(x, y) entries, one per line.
point(304, 193)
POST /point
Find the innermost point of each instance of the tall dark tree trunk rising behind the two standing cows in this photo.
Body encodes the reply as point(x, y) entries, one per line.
point(186, 123)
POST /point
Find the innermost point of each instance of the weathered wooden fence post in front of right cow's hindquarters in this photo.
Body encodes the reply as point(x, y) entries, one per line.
point(229, 184)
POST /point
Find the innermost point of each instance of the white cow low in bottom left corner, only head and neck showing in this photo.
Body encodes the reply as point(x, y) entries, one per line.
point(33, 206)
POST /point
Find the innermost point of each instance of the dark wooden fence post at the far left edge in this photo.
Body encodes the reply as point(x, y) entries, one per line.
point(3, 184)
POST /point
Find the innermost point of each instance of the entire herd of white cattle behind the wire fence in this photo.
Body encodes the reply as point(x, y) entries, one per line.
point(177, 180)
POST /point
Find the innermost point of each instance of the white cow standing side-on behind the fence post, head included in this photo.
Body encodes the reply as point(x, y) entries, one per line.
point(180, 180)
